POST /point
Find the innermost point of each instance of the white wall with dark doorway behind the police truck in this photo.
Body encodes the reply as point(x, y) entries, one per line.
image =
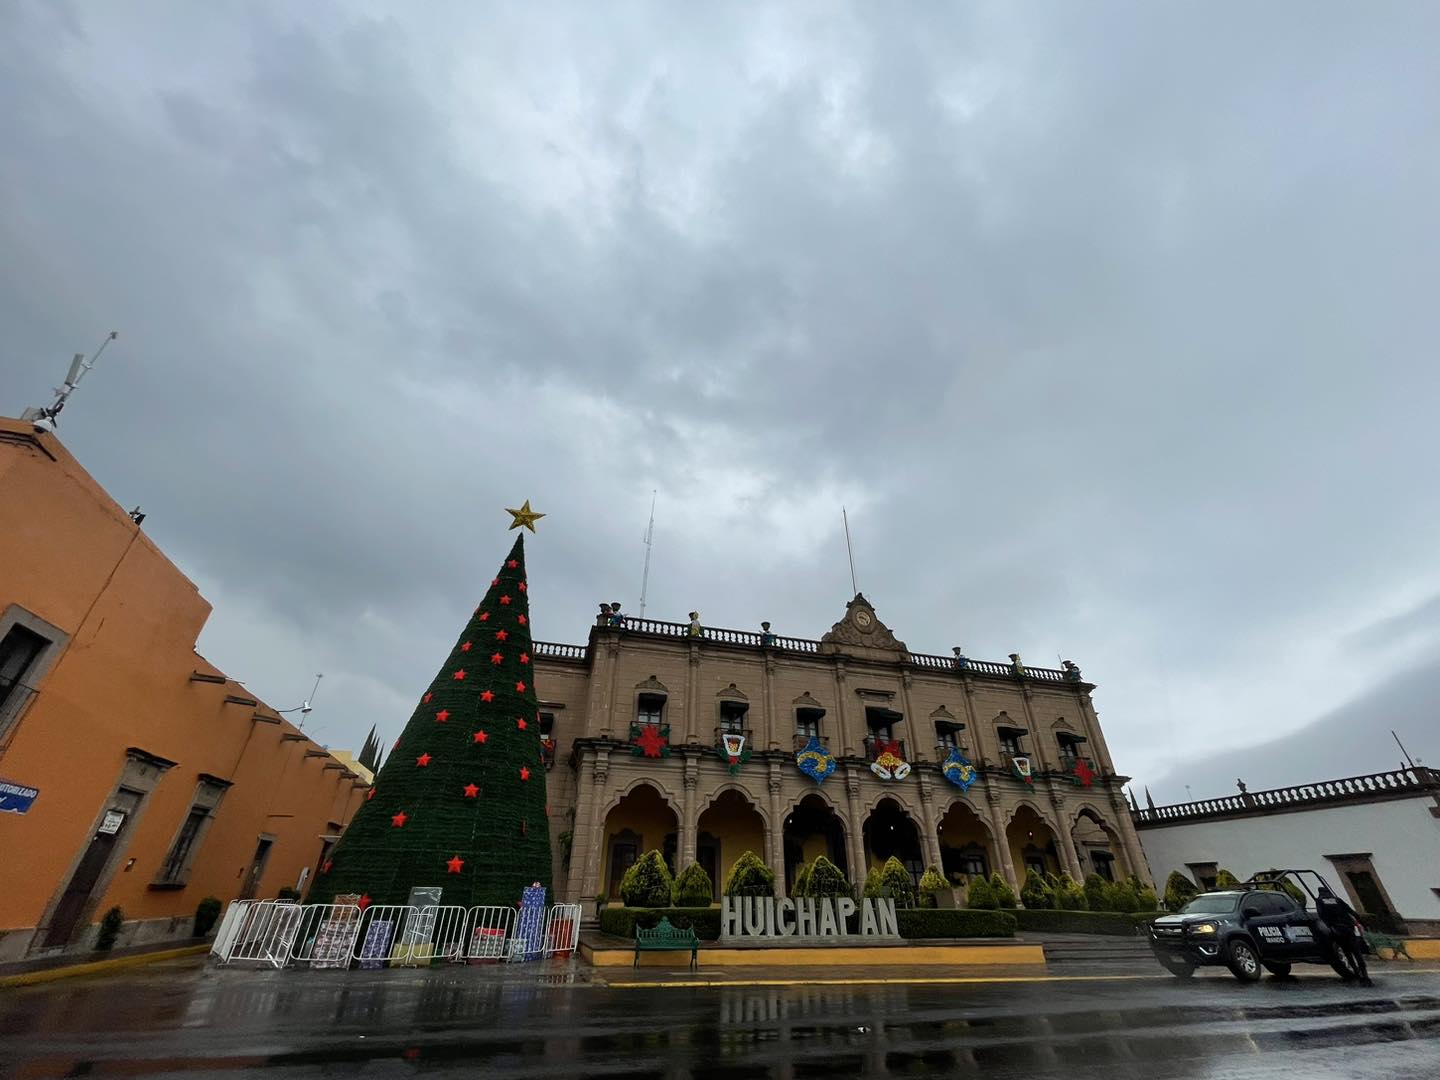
point(1402, 837)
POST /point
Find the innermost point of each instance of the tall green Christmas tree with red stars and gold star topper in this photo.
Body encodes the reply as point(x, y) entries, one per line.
point(462, 800)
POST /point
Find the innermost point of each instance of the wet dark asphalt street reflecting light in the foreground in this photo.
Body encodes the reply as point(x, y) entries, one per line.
point(181, 1020)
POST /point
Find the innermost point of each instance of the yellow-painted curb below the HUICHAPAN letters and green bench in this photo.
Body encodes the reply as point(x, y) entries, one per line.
point(840, 955)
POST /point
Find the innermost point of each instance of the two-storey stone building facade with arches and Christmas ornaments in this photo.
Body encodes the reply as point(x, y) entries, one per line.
point(705, 744)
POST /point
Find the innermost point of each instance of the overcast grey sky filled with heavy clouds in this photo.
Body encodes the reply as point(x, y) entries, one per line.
point(1114, 326)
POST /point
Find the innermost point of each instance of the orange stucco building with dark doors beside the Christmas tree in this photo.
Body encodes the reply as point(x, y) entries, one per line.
point(133, 773)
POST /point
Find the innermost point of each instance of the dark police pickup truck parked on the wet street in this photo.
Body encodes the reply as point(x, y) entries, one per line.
point(1248, 930)
